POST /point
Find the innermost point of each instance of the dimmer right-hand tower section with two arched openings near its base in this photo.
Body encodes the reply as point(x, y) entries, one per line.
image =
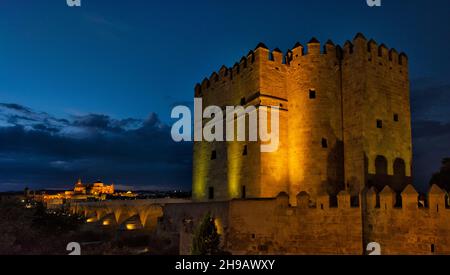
point(376, 90)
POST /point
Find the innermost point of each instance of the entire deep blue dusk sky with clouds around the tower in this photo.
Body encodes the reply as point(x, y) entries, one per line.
point(87, 92)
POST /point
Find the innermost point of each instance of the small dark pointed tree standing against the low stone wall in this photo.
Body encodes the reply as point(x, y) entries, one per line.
point(206, 239)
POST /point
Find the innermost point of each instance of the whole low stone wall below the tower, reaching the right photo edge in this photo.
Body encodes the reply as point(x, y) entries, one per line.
point(273, 226)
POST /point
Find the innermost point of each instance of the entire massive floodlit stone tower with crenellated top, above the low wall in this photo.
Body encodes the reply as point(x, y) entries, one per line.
point(344, 122)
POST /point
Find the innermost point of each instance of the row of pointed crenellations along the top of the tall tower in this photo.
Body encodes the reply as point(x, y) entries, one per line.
point(299, 55)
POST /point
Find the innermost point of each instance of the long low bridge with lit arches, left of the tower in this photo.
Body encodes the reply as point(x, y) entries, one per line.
point(123, 215)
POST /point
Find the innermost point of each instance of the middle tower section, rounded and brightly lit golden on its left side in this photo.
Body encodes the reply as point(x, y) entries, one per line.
point(315, 130)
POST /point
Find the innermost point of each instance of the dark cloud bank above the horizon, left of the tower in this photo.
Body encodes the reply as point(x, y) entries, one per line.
point(39, 150)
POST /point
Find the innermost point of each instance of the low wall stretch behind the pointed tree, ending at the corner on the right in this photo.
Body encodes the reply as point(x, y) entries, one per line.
point(270, 226)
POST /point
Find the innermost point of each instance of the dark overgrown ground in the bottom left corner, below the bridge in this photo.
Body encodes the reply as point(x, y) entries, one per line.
point(36, 231)
